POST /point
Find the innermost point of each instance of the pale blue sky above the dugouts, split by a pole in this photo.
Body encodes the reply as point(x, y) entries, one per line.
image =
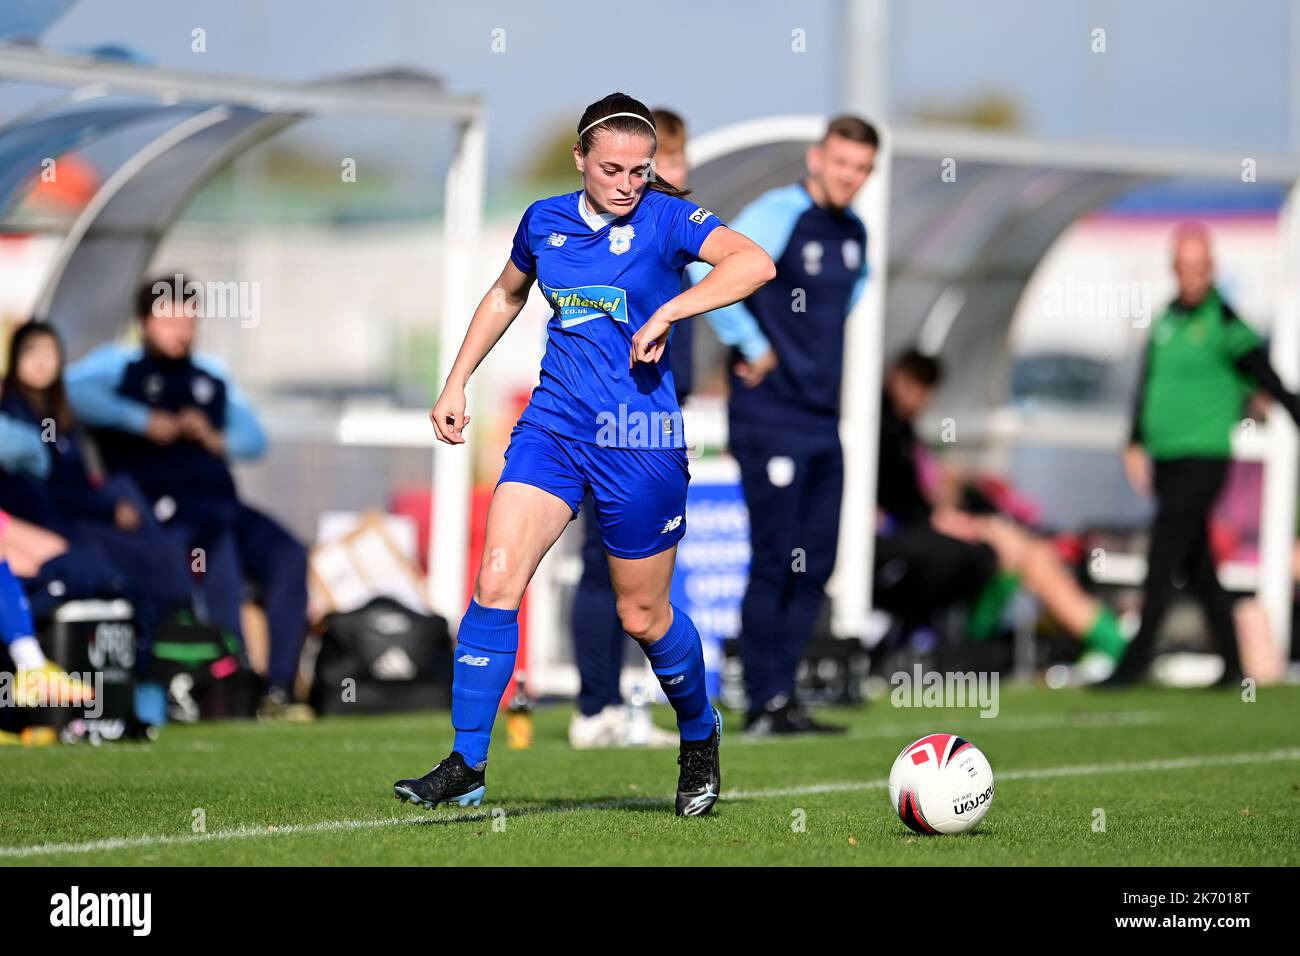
point(1184, 73)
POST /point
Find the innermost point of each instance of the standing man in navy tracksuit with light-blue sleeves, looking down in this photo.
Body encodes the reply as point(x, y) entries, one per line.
point(785, 410)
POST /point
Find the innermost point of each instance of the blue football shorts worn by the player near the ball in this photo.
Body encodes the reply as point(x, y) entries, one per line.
point(640, 495)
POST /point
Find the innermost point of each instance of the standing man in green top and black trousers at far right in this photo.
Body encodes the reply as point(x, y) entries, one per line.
point(1201, 369)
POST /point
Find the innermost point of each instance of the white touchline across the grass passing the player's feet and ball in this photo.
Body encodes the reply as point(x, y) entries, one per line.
point(1292, 754)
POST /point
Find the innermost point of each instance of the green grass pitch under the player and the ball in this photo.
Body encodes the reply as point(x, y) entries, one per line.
point(1182, 777)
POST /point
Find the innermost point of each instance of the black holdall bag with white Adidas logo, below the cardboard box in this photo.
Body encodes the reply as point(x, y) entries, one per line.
point(383, 657)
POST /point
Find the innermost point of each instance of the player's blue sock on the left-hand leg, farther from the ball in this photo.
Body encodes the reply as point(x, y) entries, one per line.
point(486, 661)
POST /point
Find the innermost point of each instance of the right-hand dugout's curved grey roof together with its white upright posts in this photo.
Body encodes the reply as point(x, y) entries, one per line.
point(959, 254)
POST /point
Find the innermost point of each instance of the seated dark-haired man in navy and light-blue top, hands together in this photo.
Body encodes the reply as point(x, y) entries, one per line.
point(171, 419)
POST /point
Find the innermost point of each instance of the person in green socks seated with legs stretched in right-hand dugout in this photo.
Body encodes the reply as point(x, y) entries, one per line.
point(930, 556)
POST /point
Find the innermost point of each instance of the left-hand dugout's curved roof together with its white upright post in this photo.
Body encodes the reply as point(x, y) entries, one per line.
point(114, 240)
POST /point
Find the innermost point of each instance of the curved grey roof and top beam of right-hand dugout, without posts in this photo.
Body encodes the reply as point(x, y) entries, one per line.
point(960, 253)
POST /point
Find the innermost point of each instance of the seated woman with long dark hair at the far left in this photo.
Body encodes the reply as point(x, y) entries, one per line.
point(45, 479)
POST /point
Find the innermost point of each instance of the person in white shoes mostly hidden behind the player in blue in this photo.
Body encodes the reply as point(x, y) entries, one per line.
point(599, 641)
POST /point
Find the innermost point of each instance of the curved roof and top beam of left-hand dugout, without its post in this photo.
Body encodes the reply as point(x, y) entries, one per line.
point(181, 132)
